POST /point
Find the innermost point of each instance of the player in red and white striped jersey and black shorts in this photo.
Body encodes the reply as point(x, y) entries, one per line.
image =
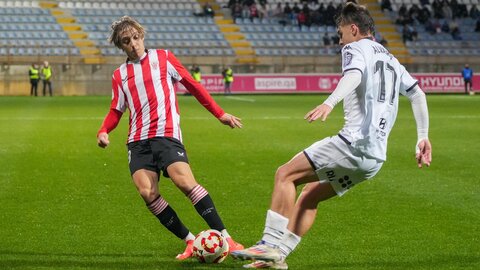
point(144, 85)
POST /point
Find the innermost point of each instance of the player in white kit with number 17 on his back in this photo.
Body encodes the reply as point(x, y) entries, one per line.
point(370, 87)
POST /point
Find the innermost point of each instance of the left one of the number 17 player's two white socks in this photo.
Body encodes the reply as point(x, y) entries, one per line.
point(275, 226)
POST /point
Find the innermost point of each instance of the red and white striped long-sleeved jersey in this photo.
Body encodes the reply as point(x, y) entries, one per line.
point(146, 88)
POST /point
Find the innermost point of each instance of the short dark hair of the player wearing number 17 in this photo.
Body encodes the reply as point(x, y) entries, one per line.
point(352, 13)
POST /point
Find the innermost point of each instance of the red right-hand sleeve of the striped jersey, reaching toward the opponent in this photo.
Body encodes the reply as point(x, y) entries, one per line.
point(181, 74)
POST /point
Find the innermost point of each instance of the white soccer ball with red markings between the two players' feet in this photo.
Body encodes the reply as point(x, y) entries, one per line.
point(210, 246)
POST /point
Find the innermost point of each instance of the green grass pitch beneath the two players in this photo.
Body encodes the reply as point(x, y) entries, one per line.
point(67, 204)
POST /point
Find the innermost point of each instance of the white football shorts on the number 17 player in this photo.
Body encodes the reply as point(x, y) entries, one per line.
point(335, 161)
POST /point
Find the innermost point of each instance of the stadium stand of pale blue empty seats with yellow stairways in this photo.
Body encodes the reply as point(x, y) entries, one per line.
point(78, 31)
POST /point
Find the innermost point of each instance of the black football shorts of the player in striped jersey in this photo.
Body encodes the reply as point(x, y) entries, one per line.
point(155, 154)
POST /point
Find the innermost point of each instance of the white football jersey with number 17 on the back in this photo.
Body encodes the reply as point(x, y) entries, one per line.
point(371, 110)
